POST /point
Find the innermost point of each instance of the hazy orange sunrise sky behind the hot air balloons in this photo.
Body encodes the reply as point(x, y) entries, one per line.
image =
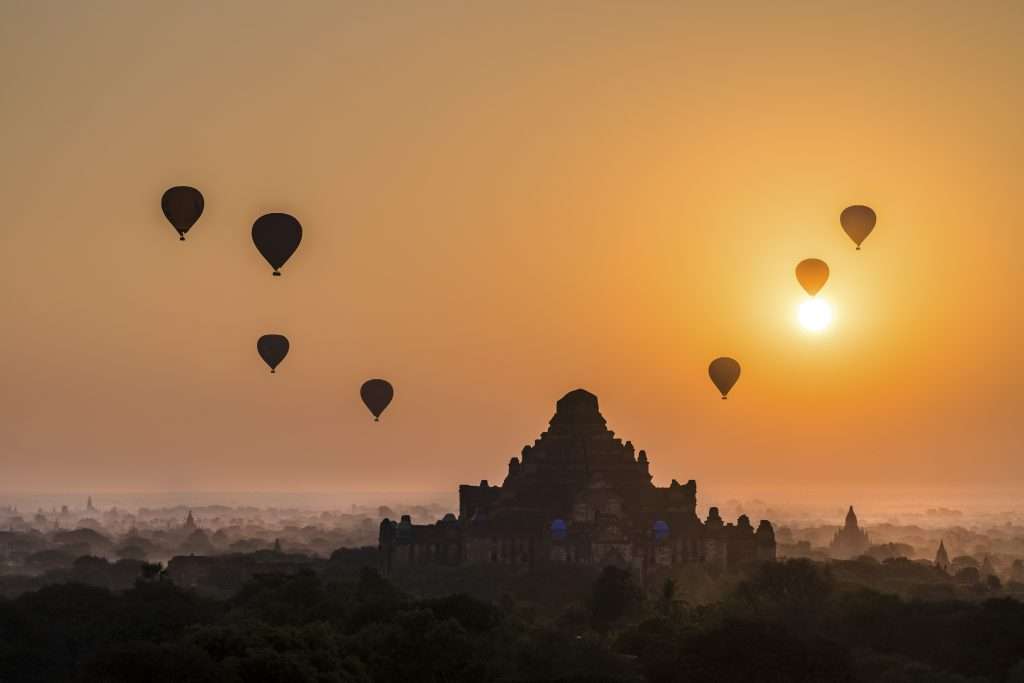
point(502, 202)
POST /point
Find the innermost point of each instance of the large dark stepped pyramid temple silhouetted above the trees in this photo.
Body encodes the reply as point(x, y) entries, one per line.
point(579, 495)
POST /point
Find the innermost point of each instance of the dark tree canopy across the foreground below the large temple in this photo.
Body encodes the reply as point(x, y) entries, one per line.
point(786, 622)
